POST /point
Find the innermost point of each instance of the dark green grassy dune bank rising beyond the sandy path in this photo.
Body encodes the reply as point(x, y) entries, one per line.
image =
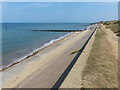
point(114, 26)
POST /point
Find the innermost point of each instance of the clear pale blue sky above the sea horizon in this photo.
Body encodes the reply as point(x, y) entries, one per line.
point(59, 11)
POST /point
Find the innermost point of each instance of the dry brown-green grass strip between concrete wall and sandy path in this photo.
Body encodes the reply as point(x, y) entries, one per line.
point(101, 68)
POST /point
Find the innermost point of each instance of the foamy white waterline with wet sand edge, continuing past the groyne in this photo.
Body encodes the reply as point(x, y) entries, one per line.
point(37, 50)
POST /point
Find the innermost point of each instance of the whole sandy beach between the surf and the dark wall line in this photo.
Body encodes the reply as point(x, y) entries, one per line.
point(46, 66)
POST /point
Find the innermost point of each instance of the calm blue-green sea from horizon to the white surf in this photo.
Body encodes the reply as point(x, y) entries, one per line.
point(18, 41)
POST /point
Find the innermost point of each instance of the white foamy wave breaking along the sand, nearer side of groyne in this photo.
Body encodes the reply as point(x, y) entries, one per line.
point(33, 52)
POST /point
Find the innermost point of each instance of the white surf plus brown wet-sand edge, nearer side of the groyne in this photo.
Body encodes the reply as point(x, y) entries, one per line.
point(36, 51)
